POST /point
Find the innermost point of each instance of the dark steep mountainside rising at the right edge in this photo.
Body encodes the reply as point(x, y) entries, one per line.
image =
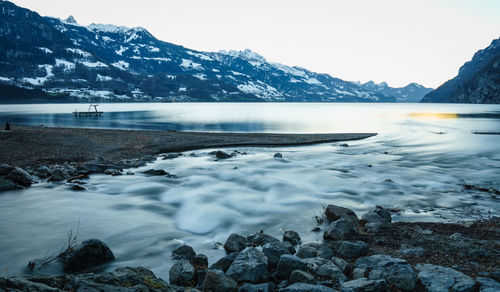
point(478, 81)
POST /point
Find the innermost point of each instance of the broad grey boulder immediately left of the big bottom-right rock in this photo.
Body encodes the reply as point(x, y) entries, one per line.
point(395, 271)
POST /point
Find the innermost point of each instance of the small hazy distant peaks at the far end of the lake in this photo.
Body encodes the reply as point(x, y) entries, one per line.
point(412, 92)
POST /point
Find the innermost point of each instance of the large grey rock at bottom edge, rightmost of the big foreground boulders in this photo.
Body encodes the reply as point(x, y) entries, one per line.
point(438, 278)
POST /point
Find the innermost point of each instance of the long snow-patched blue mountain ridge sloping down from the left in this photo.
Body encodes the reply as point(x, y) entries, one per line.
point(114, 63)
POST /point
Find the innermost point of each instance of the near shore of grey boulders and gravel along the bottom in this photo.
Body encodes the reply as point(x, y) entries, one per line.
point(367, 254)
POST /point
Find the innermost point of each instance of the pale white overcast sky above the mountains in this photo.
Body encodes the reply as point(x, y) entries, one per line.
point(397, 41)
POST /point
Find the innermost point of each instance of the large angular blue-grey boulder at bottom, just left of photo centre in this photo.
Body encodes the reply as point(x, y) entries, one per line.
point(250, 265)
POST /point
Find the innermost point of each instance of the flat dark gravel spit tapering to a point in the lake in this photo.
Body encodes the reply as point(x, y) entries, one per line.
point(40, 145)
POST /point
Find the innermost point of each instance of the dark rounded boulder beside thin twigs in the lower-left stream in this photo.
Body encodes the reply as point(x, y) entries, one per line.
point(88, 254)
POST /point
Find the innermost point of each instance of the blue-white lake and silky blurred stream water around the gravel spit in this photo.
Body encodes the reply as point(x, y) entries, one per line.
point(417, 163)
